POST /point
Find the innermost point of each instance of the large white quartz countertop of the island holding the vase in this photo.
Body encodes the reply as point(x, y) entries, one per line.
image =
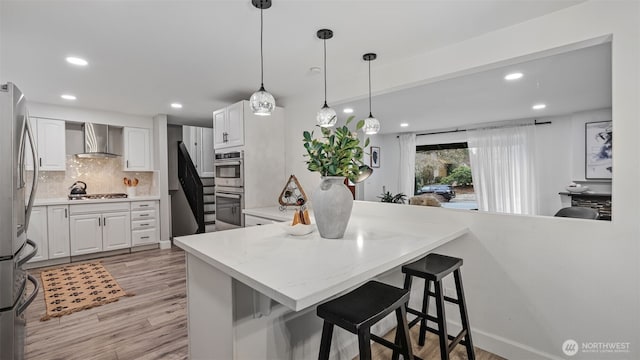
point(302, 271)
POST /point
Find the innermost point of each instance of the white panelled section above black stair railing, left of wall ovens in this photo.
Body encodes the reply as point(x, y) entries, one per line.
point(199, 143)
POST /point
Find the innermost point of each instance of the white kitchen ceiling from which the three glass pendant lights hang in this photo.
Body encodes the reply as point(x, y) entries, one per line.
point(143, 55)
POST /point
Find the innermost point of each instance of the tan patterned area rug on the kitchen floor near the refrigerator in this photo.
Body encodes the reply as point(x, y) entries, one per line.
point(78, 287)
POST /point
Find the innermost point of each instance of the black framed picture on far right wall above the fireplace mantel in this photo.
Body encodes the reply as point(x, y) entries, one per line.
point(598, 150)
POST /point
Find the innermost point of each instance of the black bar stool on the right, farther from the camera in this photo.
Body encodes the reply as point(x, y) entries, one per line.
point(433, 268)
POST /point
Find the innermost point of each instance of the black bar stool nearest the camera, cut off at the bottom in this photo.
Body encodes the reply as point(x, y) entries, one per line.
point(360, 309)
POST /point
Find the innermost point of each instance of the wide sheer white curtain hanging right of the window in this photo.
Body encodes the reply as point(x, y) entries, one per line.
point(503, 169)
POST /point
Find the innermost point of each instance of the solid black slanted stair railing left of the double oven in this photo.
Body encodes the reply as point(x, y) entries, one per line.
point(191, 184)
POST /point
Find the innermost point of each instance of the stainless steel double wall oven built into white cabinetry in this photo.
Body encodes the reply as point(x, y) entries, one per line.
point(229, 175)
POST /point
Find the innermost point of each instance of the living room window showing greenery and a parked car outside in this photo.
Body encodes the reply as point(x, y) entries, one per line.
point(444, 171)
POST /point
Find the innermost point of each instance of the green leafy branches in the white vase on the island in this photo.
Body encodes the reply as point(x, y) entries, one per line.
point(337, 152)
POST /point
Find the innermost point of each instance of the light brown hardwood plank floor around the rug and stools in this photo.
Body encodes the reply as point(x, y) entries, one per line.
point(150, 325)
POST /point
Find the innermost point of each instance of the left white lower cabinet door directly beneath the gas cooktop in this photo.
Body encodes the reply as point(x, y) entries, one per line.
point(85, 233)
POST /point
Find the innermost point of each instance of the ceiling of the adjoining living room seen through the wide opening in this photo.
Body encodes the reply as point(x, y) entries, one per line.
point(570, 82)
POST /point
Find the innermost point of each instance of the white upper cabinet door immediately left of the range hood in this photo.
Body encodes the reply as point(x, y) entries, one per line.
point(51, 145)
